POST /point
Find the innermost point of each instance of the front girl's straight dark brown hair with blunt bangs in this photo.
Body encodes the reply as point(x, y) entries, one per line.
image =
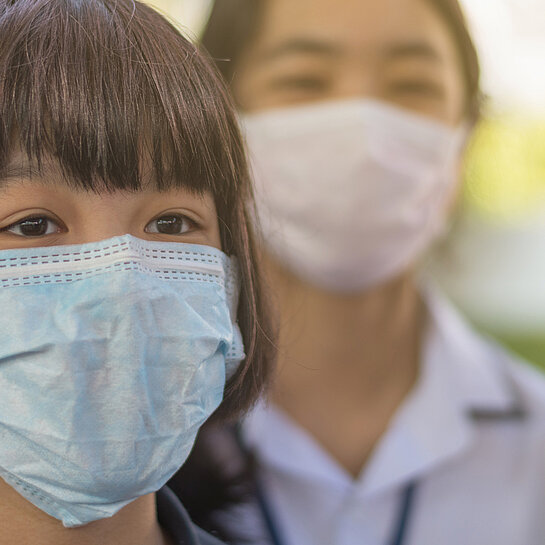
point(112, 92)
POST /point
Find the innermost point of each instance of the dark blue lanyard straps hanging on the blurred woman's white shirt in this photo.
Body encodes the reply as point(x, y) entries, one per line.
point(400, 527)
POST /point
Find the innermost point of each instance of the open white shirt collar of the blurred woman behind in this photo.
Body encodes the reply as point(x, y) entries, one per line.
point(461, 374)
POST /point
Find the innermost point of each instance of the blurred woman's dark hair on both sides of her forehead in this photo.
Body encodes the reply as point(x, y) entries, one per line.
point(233, 24)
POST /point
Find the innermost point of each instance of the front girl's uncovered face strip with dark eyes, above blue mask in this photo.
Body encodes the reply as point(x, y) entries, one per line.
point(42, 210)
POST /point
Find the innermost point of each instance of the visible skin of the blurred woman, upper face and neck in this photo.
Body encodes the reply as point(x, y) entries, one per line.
point(348, 362)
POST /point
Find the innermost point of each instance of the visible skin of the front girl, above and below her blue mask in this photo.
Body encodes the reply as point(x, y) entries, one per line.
point(70, 216)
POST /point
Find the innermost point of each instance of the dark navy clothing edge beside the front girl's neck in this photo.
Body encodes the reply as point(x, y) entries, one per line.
point(174, 519)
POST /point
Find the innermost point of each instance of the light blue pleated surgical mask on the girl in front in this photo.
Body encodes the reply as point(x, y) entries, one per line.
point(112, 355)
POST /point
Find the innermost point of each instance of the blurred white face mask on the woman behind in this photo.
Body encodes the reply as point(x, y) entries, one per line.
point(350, 194)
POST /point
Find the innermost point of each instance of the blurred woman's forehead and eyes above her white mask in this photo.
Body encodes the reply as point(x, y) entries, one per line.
point(399, 51)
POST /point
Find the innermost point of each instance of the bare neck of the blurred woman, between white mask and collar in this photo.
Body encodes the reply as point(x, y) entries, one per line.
point(346, 361)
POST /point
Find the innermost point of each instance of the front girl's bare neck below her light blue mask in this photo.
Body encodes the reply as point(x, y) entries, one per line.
point(23, 523)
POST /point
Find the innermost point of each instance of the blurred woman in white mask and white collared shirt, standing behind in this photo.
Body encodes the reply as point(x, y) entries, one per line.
point(390, 421)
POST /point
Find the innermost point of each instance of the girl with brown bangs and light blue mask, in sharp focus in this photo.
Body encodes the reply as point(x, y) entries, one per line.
point(128, 283)
